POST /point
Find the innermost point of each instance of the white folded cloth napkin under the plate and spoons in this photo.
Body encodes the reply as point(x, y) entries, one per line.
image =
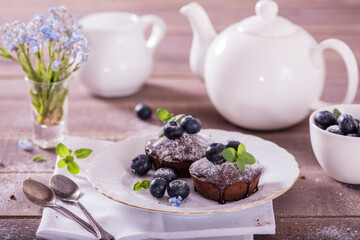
point(125, 222)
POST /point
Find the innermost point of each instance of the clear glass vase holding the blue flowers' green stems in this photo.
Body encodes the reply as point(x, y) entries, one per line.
point(49, 110)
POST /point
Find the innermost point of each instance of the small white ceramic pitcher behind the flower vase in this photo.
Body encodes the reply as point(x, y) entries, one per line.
point(120, 59)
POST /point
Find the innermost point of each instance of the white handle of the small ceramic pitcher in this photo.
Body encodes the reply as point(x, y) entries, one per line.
point(157, 32)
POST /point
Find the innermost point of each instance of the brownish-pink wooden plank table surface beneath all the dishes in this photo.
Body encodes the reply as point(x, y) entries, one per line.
point(317, 207)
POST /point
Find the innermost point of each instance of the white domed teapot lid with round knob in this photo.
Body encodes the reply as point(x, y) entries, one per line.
point(266, 22)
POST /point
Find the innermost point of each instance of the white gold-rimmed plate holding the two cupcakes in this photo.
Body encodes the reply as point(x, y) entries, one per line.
point(109, 172)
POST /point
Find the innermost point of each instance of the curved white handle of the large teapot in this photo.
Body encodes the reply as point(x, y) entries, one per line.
point(351, 66)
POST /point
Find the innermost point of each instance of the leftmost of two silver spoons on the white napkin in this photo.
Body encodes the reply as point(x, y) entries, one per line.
point(43, 196)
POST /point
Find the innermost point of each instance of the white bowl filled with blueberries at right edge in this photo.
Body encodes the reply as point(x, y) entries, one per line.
point(335, 139)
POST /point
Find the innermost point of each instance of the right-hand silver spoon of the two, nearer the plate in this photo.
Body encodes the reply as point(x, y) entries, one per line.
point(68, 191)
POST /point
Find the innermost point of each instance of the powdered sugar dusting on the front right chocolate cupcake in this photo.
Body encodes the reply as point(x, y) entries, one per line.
point(222, 175)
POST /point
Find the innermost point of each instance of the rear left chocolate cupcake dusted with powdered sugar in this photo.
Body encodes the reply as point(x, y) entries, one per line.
point(177, 154)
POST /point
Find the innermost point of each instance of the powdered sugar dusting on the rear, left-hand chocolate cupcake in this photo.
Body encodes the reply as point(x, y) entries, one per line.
point(190, 147)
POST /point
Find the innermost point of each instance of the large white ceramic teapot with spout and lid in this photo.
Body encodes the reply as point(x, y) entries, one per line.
point(263, 72)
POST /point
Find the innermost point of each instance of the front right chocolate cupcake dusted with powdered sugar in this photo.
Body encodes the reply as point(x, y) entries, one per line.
point(224, 182)
